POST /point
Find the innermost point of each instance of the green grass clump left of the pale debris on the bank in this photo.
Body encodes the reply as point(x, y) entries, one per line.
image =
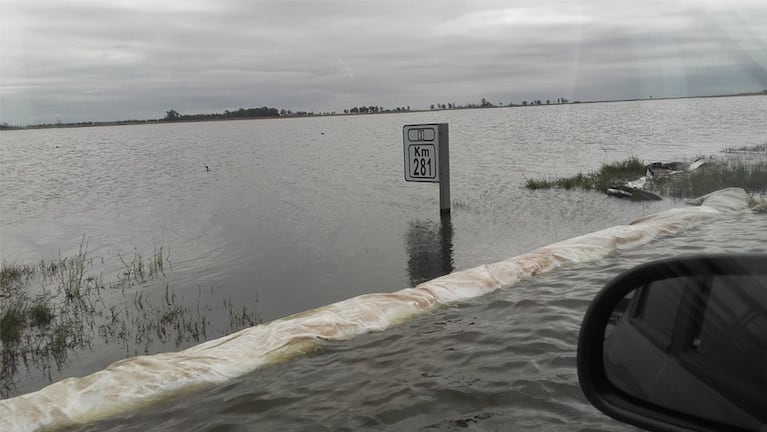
point(601, 180)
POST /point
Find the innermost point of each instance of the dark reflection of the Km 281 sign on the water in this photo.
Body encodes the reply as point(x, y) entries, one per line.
point(429, 249)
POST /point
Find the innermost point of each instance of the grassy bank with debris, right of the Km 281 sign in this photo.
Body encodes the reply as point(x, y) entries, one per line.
point(744, 167)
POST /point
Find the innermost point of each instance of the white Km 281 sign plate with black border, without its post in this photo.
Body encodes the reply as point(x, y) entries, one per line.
point(421, 153)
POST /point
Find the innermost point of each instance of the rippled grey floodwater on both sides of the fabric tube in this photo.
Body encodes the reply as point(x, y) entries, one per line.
point(295, 214)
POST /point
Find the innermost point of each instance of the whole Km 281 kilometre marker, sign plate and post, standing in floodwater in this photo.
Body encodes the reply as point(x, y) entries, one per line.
point(427, 158)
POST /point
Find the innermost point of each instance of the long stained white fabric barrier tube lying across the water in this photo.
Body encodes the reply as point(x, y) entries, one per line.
point(137, 382)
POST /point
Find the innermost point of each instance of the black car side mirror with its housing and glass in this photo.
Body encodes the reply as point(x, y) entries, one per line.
point(680, 344)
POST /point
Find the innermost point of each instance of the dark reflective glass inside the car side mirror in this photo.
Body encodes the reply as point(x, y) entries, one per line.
point(694, 344)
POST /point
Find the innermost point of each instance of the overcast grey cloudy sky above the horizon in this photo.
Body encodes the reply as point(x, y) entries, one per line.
point(132, 59)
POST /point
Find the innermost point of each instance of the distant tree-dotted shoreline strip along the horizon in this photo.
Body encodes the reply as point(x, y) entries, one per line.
point(5, 127)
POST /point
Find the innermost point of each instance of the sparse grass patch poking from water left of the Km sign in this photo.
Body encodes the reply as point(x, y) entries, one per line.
point(58, 307)
